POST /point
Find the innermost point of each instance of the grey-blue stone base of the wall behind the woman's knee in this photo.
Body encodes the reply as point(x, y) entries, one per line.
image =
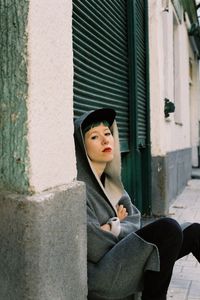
point(170, 174)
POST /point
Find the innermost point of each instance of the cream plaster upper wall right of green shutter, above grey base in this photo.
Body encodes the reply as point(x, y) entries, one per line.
point(172, 133)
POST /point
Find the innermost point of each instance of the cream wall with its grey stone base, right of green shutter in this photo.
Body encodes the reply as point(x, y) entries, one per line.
point(174, 73)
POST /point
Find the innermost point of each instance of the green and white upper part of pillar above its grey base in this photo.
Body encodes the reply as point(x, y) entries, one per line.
point(36, 95)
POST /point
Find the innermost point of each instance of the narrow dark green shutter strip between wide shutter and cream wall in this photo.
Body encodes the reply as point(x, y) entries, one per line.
point(138, 161)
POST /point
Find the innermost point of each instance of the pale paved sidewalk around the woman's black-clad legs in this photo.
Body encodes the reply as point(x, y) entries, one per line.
point(185, 283)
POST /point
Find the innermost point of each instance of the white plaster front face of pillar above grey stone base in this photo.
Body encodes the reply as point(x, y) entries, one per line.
point(50, 107)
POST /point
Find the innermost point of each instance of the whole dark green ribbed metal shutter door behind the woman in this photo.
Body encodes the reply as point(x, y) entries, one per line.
point(110, 61)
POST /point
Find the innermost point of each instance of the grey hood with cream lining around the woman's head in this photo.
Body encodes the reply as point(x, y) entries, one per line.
point(113, 187)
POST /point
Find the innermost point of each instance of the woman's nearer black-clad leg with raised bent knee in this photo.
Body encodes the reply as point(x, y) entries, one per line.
point(167, 235)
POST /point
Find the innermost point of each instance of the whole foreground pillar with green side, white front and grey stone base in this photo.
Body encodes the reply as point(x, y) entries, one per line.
point(42, 206)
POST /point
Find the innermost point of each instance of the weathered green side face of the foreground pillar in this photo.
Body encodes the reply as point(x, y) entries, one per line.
point(13, 96)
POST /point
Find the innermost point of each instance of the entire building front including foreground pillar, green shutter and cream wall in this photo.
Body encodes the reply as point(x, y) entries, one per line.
point(59, 59)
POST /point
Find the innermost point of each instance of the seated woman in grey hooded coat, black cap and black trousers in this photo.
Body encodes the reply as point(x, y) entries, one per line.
point(123, 258)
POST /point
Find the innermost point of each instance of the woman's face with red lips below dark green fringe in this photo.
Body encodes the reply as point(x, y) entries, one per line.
point(99, 143)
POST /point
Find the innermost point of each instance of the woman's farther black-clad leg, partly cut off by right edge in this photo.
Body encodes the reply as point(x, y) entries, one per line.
point(191, 241)
